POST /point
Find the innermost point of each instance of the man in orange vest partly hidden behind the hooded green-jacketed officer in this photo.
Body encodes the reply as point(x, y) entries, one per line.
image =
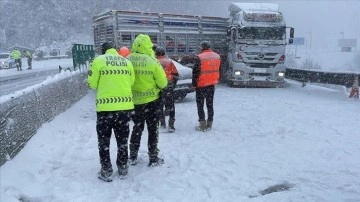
point(168, 101)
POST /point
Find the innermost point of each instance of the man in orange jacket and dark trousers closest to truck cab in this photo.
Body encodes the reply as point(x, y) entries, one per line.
point(205, 76)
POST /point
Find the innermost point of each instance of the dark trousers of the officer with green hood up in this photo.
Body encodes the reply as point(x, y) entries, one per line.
point(148, 113)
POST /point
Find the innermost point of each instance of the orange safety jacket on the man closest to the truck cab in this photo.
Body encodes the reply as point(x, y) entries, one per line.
point(209, 70)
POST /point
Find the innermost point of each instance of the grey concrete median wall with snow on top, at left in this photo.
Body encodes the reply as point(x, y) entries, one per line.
point(21, 117)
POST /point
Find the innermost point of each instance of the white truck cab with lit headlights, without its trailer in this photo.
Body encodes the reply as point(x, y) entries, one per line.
point(257, 43)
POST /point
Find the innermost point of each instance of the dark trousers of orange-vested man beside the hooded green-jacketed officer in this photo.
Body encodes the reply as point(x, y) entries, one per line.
point(167, 101)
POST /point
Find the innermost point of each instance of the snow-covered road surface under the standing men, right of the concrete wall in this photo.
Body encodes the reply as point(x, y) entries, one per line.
point(305, 140)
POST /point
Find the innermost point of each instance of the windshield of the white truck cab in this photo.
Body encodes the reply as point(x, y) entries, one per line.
point(262, 33)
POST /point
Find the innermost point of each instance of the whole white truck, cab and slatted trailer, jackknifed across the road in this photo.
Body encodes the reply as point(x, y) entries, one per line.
point(251, 41)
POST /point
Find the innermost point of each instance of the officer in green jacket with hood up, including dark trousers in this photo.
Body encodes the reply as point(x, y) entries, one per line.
point(150, 79)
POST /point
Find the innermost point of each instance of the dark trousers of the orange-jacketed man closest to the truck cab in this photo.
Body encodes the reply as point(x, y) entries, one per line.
point(205, 94)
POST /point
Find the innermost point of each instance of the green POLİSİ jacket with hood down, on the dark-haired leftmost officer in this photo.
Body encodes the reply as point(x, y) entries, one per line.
point(112, 76)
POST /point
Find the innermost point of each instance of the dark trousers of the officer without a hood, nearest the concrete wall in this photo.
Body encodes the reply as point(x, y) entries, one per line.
point(119, 122)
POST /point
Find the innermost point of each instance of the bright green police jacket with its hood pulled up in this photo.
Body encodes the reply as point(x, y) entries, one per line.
point(150, 77)
